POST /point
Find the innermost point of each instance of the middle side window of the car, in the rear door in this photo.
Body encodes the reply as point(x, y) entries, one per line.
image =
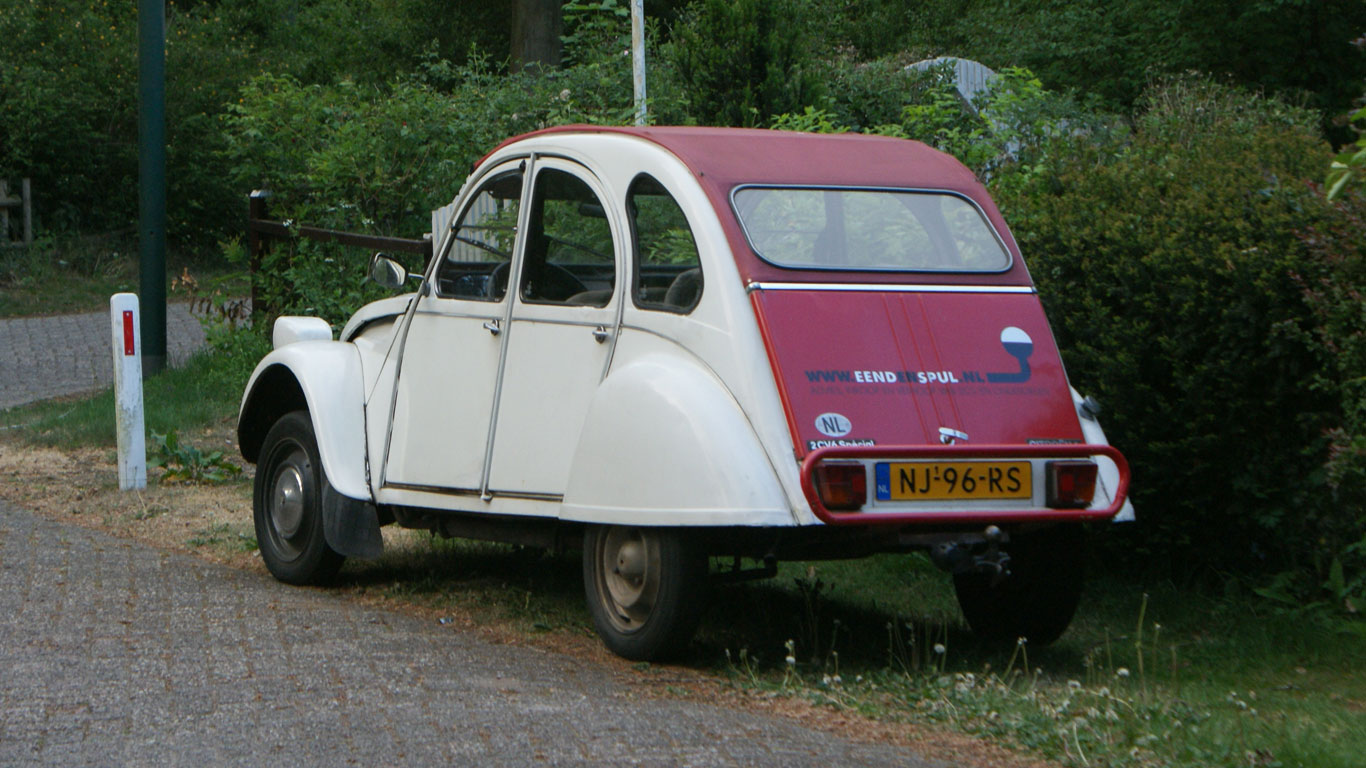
point(570, 256)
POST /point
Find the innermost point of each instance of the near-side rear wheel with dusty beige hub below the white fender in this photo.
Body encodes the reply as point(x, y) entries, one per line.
point(645, 587)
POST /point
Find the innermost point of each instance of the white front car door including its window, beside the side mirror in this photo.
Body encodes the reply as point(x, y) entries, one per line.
point(447, 381)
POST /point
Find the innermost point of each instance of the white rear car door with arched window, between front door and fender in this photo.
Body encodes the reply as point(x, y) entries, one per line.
point(562, 333)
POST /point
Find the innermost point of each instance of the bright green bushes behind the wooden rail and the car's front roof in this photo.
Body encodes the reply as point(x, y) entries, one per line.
point(380, 158)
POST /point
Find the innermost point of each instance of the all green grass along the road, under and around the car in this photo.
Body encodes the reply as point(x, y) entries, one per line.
point(1149, 674)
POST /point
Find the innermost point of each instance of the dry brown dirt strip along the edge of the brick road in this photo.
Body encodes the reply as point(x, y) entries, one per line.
point(214, 523)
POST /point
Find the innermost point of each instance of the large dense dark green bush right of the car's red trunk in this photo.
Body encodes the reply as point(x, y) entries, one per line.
point(1169, 266)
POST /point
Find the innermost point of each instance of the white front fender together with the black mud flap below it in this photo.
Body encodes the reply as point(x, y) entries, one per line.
point(326, 379)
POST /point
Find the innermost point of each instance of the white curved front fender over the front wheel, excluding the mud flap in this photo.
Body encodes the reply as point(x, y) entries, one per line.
point(324, 378)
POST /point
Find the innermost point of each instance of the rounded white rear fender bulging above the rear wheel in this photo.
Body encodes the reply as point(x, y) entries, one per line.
point(666, 443)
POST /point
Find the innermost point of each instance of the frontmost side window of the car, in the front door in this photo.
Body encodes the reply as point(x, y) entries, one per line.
point(477, 264)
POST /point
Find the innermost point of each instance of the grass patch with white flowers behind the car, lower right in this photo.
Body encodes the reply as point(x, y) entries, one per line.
point(1148, 674)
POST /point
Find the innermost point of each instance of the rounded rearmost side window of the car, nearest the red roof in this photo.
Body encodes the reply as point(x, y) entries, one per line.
point(669, 271)
